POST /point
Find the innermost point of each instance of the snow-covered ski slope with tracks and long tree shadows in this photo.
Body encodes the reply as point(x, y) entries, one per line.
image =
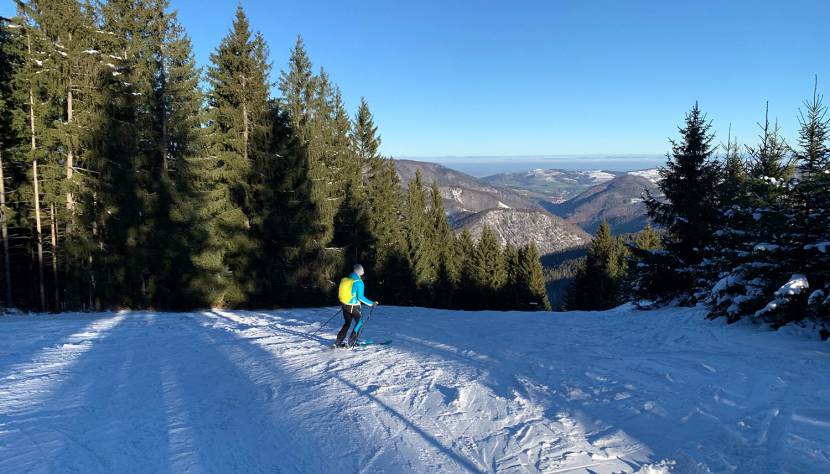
point(240, 391)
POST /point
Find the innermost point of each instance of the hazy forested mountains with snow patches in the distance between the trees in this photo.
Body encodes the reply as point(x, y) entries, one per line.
point(555, 209)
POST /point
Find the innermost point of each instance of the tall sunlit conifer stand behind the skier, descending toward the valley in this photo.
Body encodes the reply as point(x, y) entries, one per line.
point(129, 177)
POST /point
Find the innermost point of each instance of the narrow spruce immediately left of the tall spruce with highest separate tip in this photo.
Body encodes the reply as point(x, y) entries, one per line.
point(192, 265)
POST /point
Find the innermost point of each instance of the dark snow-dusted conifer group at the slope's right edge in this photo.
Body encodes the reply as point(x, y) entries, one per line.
point(745, 231)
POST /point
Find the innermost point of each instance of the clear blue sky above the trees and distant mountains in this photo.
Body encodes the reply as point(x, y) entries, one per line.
point(545, 77)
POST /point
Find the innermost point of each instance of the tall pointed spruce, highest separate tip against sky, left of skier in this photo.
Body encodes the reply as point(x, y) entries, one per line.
point(239, 128)
